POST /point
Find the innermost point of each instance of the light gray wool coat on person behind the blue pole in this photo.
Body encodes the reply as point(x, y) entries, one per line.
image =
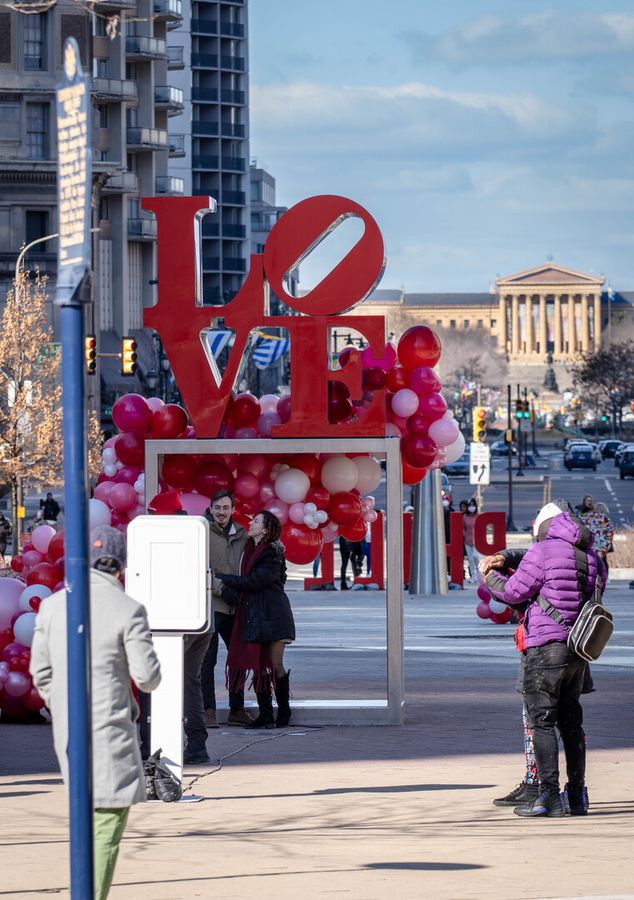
point(121, 650)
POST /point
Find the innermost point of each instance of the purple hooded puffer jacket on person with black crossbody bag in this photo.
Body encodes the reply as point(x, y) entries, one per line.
point(562, 567)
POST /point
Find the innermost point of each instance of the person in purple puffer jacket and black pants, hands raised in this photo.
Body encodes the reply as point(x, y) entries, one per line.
point(561, 567)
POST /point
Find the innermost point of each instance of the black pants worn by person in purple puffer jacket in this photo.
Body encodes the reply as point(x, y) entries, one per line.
point(553, 679)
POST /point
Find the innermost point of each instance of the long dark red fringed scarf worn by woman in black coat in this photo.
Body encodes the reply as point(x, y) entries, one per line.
point(246, 659)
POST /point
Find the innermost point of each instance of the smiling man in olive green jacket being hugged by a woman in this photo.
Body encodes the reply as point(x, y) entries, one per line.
point(227, 541)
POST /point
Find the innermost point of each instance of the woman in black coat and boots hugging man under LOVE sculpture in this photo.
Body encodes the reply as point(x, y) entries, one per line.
point(264, 622)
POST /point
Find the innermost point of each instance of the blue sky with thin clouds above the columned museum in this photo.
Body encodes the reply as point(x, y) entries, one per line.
point(483, 136)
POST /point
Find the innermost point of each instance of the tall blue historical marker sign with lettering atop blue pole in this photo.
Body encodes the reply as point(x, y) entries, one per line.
point(74, 174)
